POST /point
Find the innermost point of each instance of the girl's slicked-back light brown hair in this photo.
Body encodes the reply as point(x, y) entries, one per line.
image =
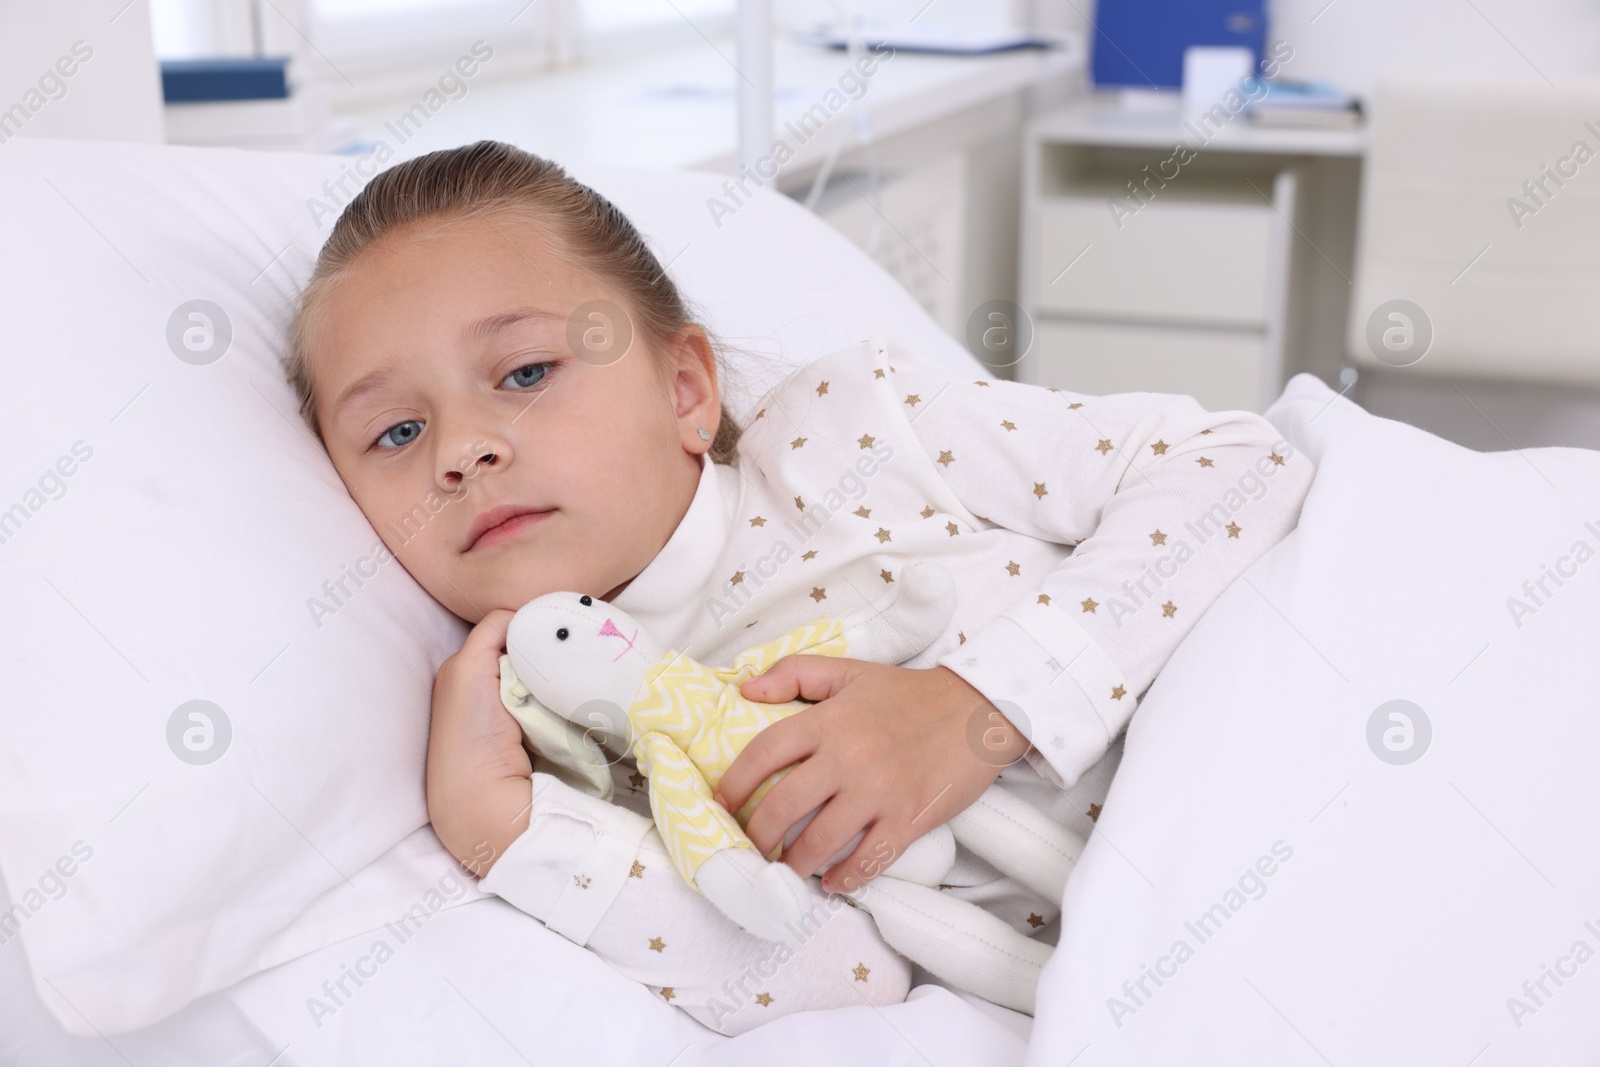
point(494, 177)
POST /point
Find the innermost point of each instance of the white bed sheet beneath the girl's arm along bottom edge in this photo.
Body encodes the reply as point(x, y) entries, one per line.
point(490, 986)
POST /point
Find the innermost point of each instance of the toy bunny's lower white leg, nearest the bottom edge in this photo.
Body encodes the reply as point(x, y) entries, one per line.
point(959, 941)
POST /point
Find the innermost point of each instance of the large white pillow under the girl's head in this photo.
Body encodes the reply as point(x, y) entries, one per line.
point(166, 526)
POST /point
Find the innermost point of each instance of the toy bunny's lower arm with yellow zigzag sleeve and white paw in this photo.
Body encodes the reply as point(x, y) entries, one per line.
point(713, 852)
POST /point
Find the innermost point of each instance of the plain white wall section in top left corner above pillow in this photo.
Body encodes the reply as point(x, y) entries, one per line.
point(114, 94)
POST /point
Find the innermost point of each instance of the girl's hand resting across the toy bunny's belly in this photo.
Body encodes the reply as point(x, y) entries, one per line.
point(892, 751)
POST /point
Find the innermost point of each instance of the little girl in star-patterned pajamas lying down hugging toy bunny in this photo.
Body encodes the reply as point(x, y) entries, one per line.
point(518, 398)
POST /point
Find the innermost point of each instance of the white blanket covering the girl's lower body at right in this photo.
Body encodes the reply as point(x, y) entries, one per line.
point(1367, 909)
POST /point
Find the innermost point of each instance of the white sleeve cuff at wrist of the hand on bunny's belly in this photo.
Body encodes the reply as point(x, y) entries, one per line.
point(1054, 682)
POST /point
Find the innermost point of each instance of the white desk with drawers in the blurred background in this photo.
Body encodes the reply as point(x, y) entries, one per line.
point(1161, 255)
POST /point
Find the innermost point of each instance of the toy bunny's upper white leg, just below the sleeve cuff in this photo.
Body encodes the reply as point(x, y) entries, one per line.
point(1020, 841)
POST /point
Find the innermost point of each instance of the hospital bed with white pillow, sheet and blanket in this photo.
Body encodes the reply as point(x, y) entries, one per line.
point(1284, 873)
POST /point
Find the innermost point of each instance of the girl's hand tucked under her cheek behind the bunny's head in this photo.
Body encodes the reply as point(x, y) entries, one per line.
point(479, 777)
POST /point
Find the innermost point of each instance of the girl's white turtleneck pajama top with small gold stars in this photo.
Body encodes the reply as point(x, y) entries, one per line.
point(1111, 508)
